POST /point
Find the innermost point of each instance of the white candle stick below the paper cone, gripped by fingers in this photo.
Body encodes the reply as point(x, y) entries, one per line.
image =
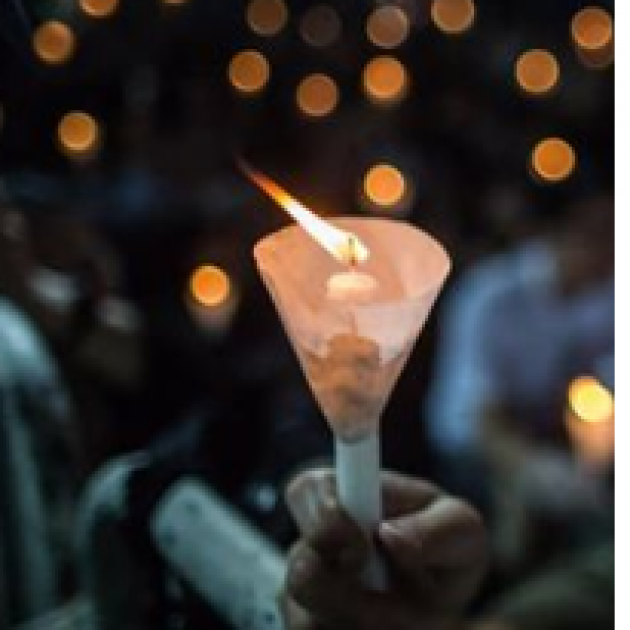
point(358, 472)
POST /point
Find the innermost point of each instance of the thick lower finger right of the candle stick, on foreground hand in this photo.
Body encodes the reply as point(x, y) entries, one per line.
point(441, 549)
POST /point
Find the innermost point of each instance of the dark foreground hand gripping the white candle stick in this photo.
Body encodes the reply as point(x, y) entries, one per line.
point(434, 546)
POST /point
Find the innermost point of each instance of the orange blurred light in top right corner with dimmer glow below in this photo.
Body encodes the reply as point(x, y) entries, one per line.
point(592, 32)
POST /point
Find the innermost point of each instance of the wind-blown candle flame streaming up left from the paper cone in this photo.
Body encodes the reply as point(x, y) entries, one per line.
point(344, 246)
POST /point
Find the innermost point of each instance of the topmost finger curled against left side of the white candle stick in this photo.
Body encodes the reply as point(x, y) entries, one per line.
point(312, 500)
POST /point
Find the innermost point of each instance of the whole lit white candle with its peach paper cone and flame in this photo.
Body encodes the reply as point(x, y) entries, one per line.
point(352, 295)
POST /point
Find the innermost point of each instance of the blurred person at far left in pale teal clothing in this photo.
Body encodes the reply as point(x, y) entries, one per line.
point(60, 322)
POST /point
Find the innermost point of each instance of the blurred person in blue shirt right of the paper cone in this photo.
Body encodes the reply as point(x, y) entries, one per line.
point(517, 328)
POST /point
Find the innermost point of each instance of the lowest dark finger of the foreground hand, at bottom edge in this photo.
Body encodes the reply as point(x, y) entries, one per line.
point(335, 601)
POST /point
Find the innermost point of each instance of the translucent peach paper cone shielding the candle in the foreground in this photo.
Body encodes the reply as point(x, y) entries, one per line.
point(353, 354)
